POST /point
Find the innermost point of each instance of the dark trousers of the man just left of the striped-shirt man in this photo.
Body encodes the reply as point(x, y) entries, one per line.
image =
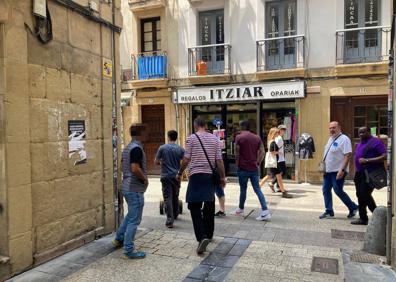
point(170, 192)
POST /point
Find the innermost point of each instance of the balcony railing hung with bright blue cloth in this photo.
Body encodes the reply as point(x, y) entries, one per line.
point(148, 65)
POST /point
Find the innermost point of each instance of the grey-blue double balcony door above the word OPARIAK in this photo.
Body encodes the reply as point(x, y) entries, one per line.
point(281, 21)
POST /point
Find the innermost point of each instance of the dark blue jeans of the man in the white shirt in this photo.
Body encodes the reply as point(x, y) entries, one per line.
point(330, 181)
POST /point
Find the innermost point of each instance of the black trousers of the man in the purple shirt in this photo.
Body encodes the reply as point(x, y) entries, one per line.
point(363, 193)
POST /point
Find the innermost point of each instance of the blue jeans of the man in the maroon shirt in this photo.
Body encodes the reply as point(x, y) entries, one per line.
point(243, 177)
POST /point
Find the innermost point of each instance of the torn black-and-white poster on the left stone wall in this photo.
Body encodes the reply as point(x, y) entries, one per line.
point(77, 133)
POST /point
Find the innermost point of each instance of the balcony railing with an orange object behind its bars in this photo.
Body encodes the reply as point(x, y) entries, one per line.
point(209, 60)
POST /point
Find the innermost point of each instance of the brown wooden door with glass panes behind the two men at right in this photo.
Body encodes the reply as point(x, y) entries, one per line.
point(364, 111)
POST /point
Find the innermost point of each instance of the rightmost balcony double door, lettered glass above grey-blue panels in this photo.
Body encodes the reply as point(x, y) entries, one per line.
point(363, 45)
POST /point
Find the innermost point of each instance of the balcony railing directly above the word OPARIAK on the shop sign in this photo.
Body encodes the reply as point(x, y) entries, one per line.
point(277, 53)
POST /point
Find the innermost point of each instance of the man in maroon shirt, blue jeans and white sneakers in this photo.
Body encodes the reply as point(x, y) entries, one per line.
point(249, 151)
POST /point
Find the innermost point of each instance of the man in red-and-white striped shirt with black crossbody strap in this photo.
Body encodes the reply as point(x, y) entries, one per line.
point(200, 189)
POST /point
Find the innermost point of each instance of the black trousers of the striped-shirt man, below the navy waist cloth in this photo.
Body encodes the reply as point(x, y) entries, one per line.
point(203, 219)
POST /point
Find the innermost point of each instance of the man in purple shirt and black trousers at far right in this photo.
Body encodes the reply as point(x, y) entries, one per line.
point(370, 154)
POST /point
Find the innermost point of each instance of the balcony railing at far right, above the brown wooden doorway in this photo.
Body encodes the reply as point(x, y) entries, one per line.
point(362, 45)
